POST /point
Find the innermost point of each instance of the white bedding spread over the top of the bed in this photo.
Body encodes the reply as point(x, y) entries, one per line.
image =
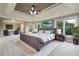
point(43, 36)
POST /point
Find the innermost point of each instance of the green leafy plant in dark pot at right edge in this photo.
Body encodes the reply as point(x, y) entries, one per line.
point(75, 33)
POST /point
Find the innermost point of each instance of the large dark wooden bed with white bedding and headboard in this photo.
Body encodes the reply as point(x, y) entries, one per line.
point(38, 40)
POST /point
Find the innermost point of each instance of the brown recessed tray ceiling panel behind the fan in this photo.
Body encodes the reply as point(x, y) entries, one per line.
point(26, 7)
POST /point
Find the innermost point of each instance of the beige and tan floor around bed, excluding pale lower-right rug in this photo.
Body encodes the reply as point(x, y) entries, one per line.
point(11, 46)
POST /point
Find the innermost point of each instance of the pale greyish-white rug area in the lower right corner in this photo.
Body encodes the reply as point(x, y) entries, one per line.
point(65, 49)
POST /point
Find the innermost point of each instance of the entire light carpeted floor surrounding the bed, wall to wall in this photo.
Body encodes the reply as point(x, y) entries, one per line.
point(12, 46)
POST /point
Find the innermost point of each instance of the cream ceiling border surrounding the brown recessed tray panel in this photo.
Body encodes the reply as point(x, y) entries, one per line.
point(58, 10)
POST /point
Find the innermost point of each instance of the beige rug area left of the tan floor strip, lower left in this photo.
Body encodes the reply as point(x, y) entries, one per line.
point(10, 48)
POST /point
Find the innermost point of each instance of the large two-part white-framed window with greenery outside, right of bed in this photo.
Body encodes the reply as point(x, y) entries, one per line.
point(66, 26)
